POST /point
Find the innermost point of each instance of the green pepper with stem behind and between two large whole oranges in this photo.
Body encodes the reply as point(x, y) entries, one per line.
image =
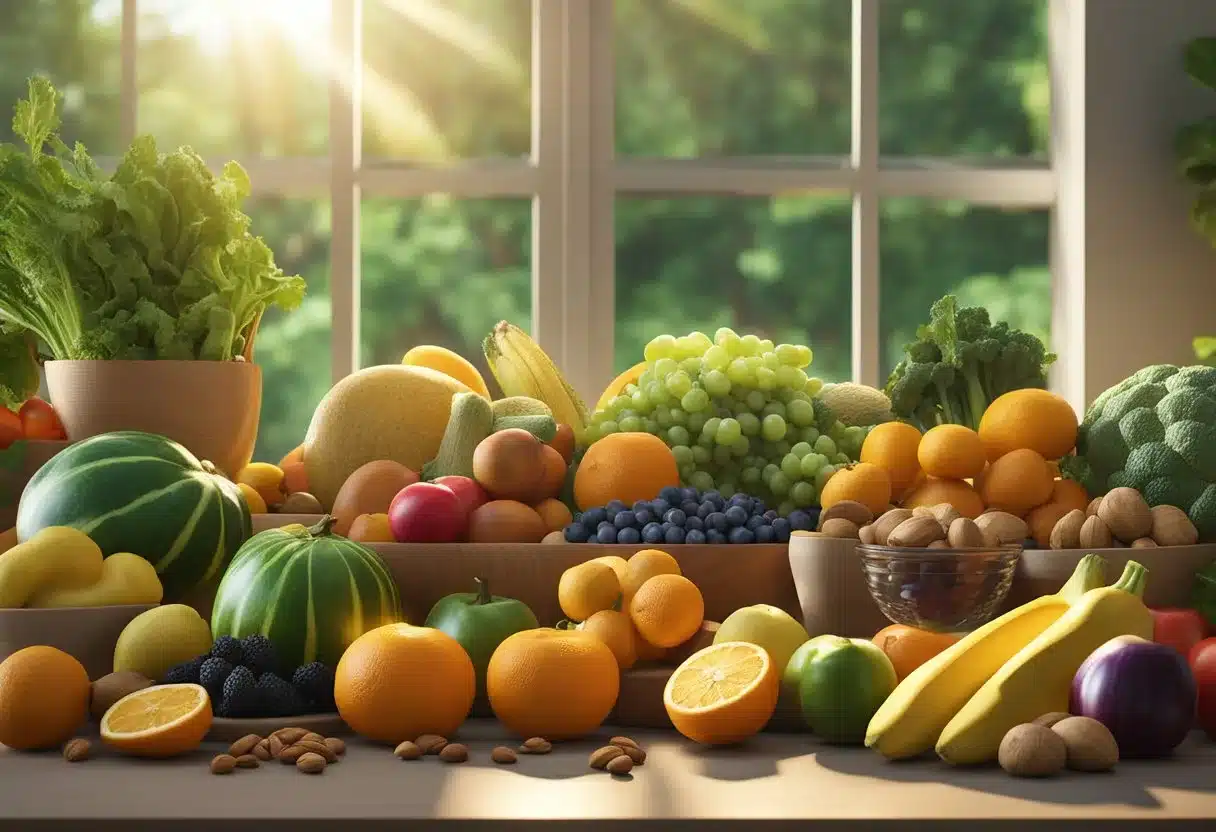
point(481, 622)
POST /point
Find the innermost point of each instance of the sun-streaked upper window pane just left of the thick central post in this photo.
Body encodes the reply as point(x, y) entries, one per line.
point(447, 80)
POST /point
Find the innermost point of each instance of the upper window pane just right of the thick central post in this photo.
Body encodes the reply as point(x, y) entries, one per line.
point(730, 78)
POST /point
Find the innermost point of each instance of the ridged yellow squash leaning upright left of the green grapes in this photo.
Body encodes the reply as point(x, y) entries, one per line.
point(522, 368)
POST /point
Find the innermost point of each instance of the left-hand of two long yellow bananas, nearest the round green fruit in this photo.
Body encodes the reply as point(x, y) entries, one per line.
point(913, 718)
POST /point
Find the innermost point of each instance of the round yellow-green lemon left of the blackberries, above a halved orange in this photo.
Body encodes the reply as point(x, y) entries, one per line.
point(161, 639)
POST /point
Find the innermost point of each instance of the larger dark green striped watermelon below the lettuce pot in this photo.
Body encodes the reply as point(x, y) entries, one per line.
point(144, 494)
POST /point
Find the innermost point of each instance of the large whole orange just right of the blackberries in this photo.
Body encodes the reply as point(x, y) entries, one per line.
point(399, 682)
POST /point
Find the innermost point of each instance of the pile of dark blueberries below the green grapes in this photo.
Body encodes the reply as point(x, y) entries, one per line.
point(688, 516)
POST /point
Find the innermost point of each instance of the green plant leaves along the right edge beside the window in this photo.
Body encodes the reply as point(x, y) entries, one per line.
point(1197, 158)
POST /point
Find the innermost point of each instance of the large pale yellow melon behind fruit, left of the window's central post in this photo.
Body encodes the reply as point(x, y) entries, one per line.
point(384, 413)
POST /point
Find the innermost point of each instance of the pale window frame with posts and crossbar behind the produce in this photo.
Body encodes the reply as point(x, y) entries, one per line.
point(575, 179)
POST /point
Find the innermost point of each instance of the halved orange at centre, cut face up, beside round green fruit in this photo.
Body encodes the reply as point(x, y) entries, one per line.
point(723, 694)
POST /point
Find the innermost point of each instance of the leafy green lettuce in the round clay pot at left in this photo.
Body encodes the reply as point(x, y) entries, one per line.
point(154, 262)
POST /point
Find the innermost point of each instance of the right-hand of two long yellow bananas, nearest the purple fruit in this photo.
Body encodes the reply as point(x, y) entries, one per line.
point(1038, 679)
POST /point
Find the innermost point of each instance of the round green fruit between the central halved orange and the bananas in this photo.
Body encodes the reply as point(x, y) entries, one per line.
point(841, 685)
